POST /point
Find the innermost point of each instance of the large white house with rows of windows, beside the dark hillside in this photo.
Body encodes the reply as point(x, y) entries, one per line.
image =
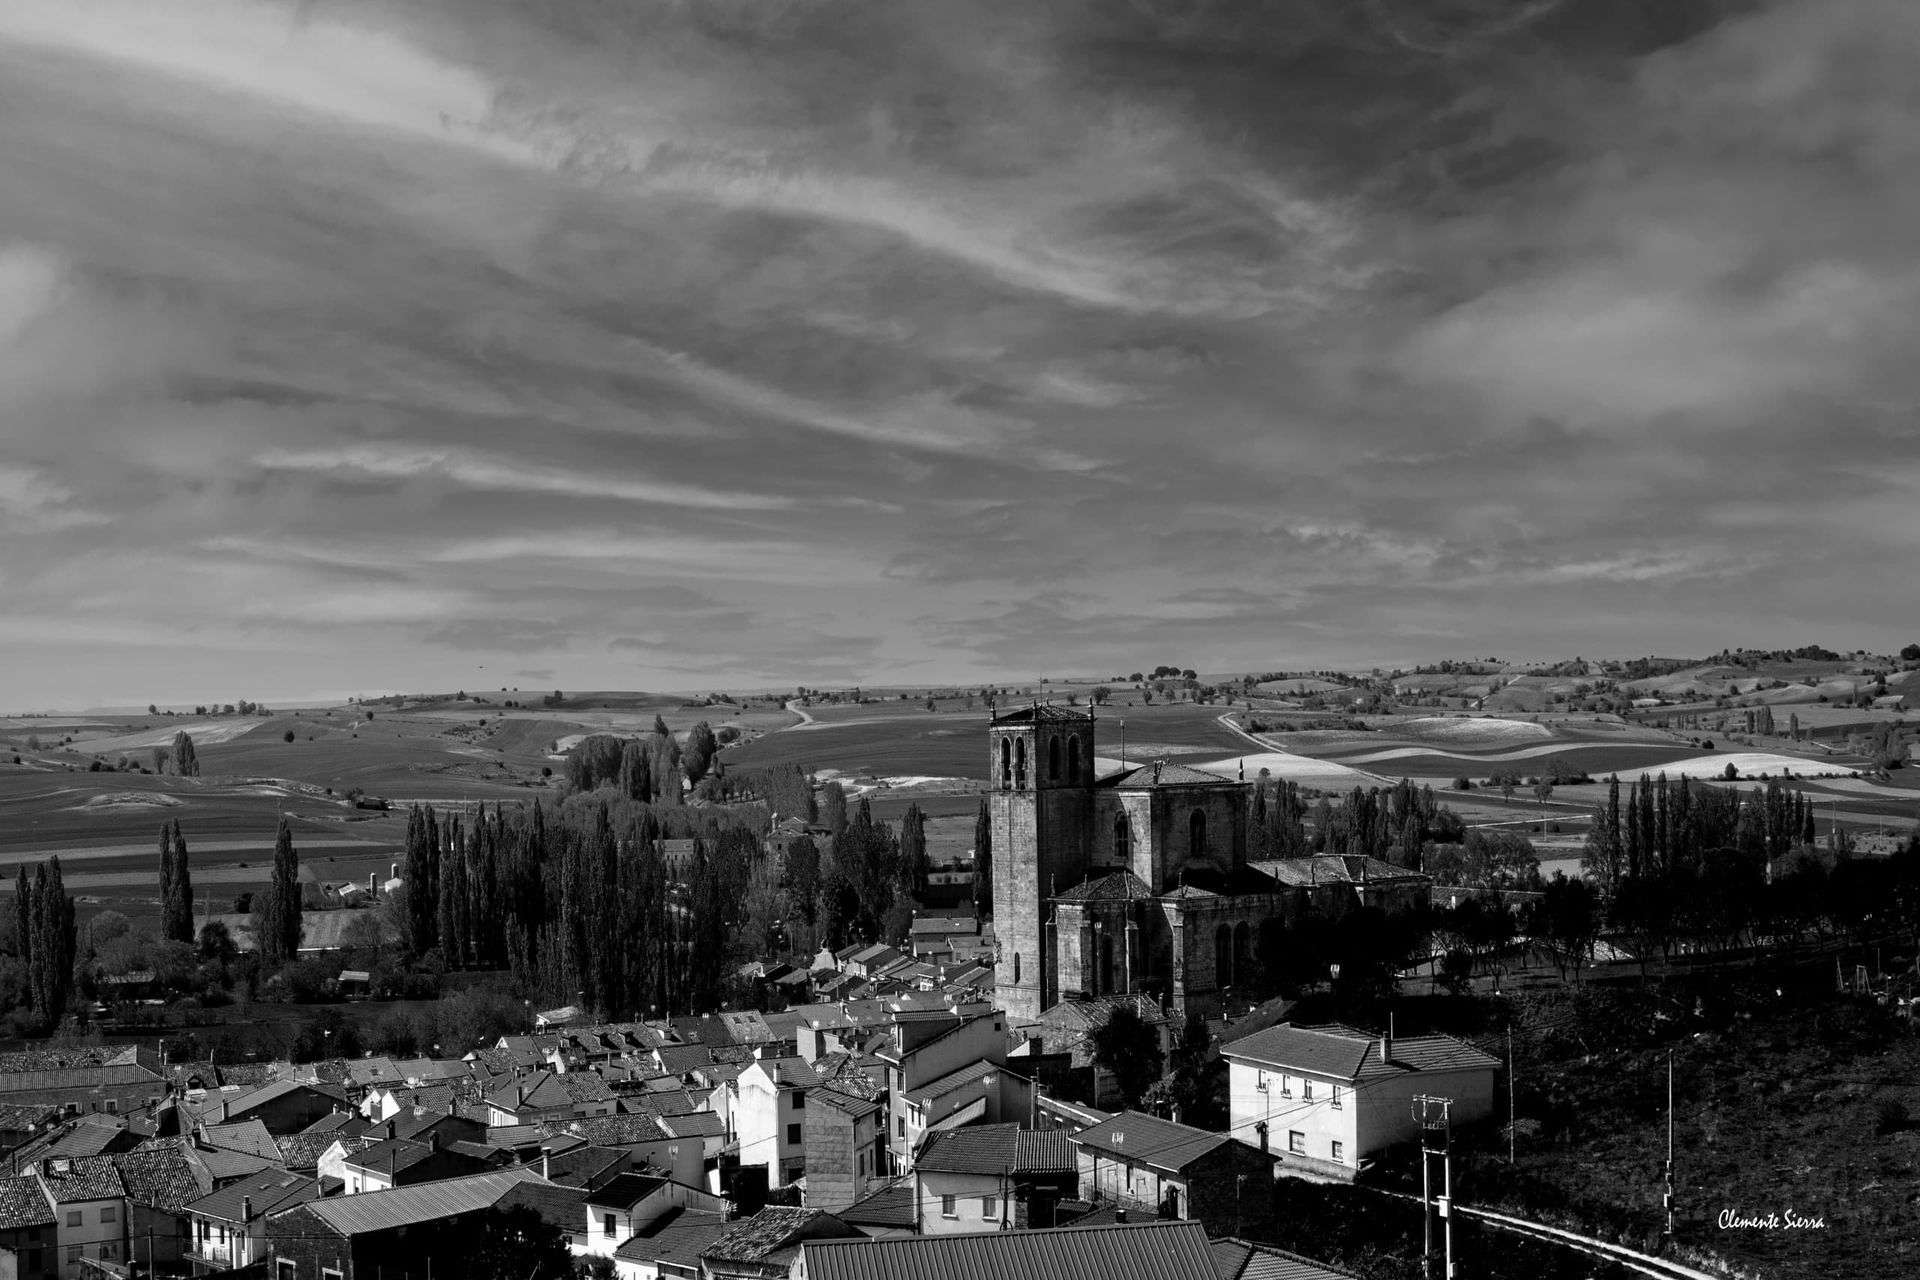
point(1330, 1099)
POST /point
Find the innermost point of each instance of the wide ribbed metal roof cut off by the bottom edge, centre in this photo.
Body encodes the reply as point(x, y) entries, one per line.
point(1130, 1252)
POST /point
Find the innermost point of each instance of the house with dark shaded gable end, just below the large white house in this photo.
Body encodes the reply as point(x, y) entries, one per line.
point(1176, 1172)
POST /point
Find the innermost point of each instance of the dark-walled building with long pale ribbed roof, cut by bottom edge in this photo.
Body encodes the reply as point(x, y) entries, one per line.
point(385, 1233)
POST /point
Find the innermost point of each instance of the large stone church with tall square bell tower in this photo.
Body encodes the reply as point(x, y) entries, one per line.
point(1138, 882)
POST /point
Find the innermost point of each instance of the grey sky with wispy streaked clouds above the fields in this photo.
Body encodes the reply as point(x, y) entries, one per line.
point(360, 346)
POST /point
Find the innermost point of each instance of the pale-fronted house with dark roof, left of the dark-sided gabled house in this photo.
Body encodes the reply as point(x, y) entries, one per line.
point(992, 1177)
